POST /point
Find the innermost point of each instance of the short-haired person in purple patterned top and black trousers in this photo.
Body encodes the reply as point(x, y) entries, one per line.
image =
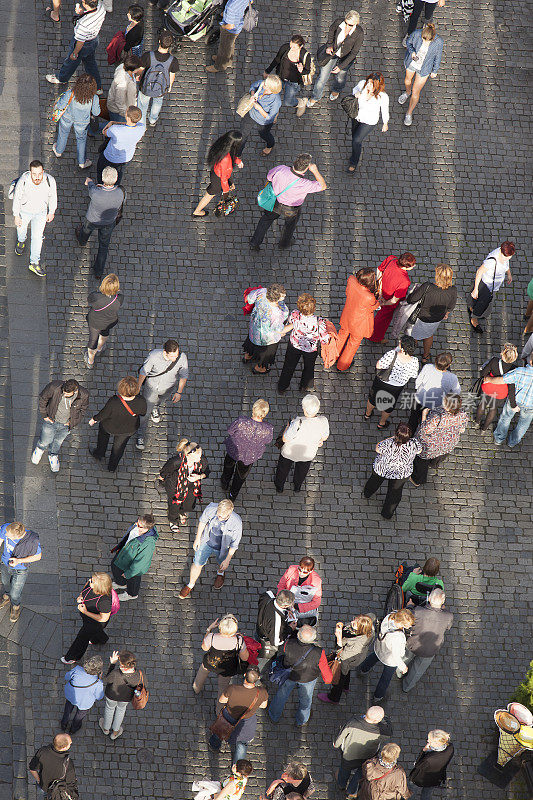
point(246, 441)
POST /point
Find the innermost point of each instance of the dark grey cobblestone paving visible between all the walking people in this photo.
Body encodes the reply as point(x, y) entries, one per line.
point(449, 189)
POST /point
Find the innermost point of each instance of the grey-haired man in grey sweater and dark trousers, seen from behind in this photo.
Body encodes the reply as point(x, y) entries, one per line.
point(106, 202)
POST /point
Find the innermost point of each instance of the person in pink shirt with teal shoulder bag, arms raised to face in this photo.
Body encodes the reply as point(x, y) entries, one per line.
point(291, 183)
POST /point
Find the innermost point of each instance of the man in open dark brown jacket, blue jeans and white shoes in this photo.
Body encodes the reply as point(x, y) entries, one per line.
point(63, 405)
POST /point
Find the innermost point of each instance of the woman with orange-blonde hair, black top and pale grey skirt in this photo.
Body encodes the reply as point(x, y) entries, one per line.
point(436, 302)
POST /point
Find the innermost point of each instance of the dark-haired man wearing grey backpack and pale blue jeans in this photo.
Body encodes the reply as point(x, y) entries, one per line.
point(160, 69)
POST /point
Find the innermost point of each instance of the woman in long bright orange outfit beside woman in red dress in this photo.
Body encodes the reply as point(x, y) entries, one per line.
point(357, 318)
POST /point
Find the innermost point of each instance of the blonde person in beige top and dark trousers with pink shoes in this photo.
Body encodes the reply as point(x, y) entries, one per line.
point(352, 643)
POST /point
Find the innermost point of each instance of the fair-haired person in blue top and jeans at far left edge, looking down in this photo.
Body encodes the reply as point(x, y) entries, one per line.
point(21, 547)
